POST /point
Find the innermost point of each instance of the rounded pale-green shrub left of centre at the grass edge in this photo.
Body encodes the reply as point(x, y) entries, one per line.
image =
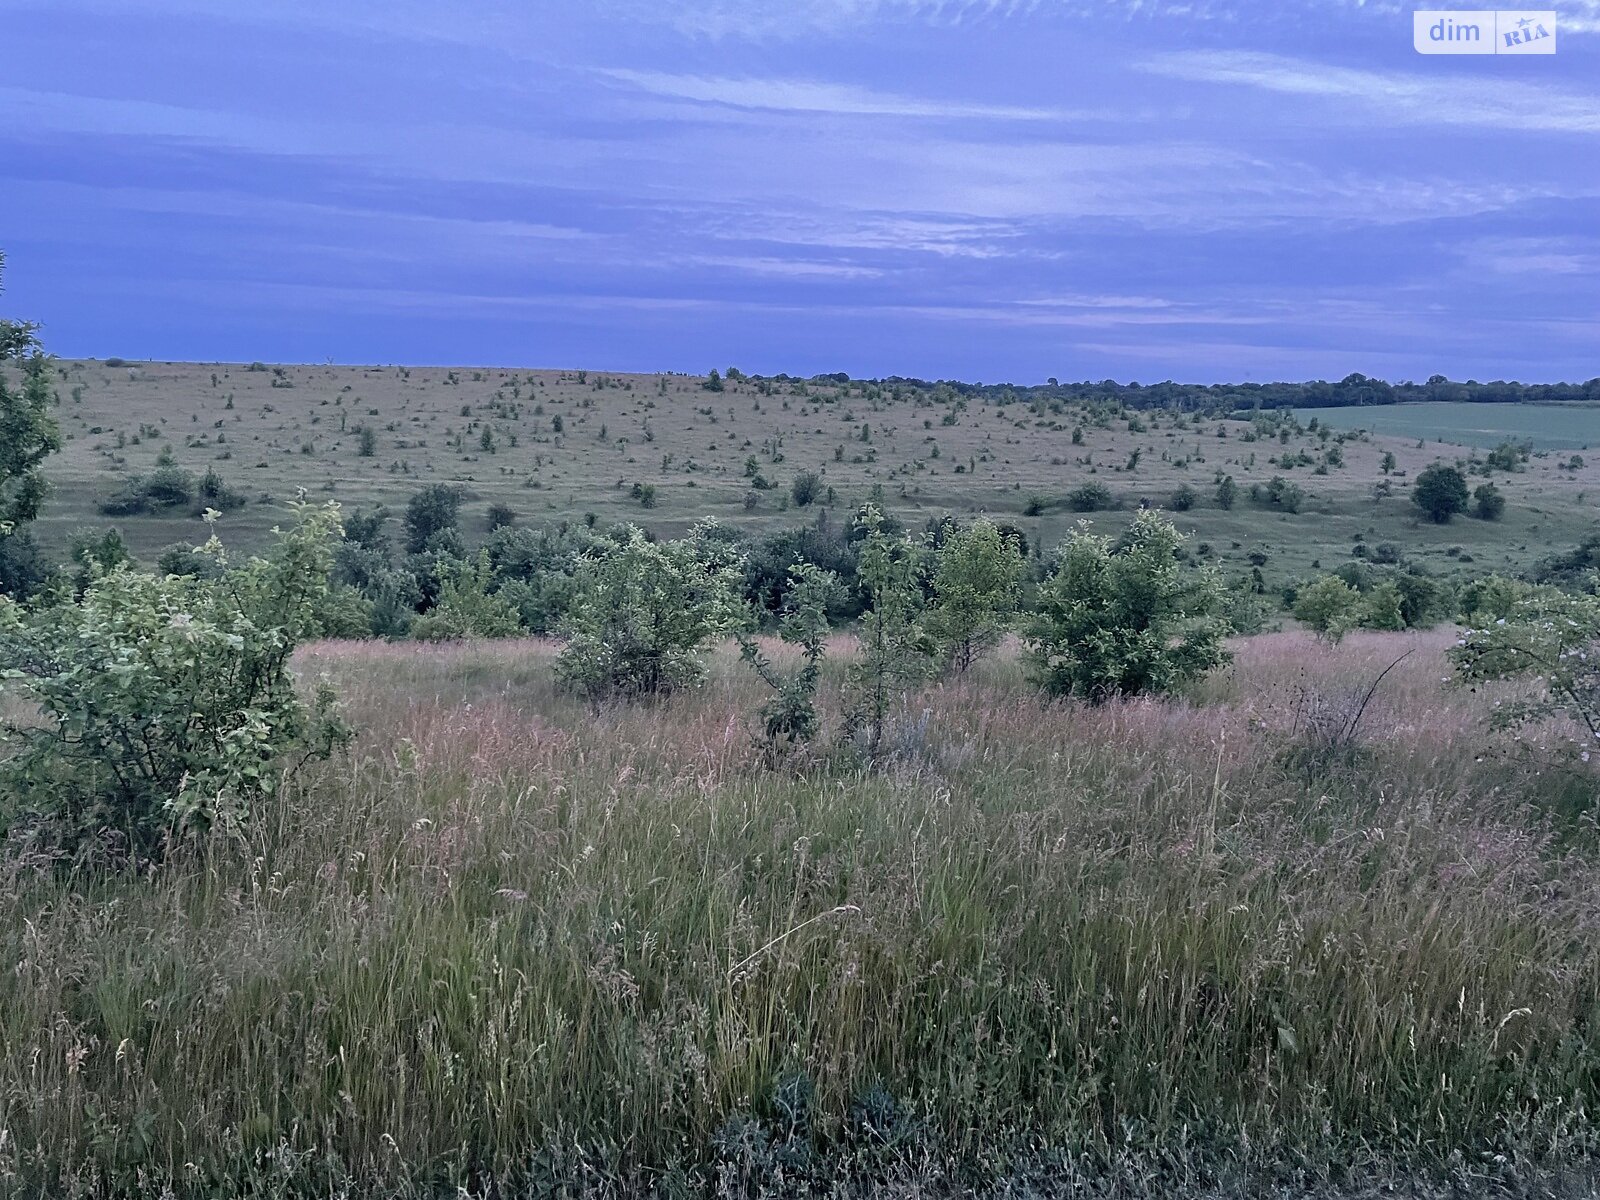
point(642, 614)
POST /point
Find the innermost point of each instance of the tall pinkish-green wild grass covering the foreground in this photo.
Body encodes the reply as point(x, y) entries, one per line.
point(518, 950)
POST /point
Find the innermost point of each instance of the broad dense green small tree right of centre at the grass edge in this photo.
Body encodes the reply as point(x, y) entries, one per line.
point(1126, 618)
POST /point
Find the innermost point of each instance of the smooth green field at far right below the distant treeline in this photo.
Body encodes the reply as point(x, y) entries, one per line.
point(1545, 426)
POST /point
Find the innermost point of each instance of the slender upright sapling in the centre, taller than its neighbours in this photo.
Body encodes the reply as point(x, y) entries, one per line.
point(894, 644)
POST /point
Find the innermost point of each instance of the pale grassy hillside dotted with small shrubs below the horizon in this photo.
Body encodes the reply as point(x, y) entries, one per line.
point(562, 444)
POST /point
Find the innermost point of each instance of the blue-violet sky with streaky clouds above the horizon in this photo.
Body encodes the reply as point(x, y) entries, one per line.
point(977, 190)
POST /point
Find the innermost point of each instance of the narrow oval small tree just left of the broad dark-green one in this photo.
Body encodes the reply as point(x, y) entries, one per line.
point(977, 591)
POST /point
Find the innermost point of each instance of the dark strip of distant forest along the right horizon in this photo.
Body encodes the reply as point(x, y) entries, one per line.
point(1354, 390)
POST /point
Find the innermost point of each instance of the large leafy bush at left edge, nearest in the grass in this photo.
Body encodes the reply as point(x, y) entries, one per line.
point(167, 702)
